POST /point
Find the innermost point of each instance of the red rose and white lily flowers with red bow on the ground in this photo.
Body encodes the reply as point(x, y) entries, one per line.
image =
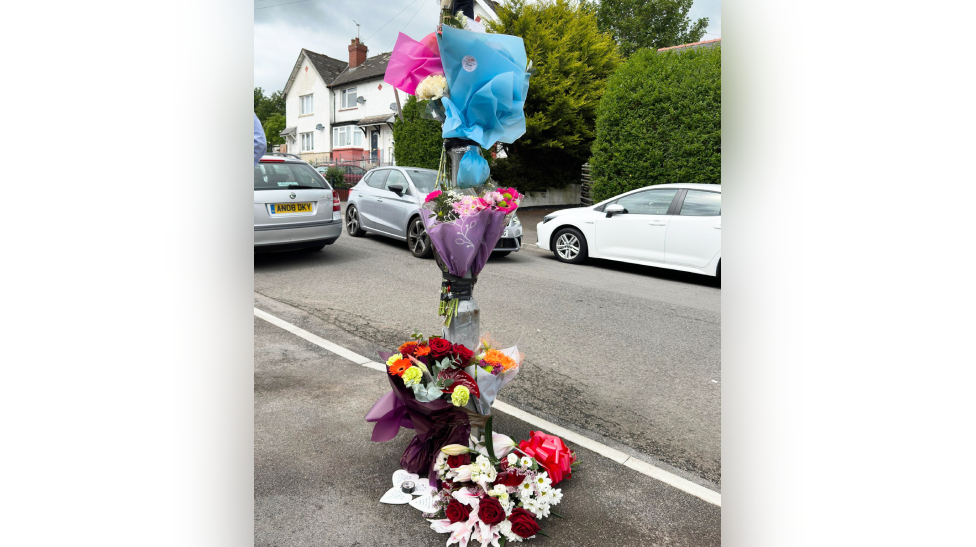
point(497, 492)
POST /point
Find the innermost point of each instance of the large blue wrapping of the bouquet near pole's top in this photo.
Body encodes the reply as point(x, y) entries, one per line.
point(488, 85)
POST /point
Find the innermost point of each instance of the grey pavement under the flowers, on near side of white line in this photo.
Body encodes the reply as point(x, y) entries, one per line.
point(318, 478)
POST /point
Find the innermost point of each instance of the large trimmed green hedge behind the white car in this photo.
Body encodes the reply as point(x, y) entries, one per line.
point(659, 122)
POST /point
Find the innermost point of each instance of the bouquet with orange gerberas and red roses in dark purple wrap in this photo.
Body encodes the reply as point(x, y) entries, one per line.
point(440, 390)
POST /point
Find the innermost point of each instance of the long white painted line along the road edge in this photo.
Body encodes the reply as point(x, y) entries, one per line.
point(612, 453)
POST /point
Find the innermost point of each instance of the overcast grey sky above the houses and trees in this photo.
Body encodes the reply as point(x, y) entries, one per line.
point(283, 27)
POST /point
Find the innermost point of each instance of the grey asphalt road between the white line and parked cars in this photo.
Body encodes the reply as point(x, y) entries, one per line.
point(626, 355)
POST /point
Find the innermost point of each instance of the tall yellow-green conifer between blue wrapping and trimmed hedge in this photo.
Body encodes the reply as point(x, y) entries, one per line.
point(572, 60)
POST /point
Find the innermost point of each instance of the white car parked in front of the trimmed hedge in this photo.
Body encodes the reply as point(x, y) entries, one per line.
point(675, 226)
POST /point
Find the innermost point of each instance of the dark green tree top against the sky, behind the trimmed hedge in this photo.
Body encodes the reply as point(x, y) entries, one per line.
point(653, 24)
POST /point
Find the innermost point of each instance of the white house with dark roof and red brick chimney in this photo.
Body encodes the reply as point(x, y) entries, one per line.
point(338, 110)
